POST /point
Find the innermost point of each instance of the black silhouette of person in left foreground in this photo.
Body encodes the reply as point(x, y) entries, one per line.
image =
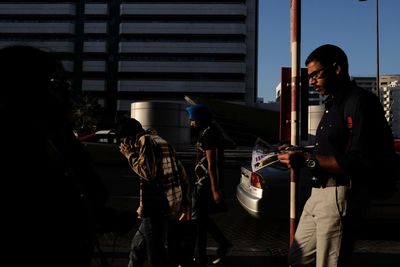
point(55, 202)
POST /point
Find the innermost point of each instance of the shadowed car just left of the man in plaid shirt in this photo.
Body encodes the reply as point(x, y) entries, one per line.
point(103, 146)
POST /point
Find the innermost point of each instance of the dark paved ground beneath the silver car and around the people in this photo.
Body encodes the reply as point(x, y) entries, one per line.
point(258, 244)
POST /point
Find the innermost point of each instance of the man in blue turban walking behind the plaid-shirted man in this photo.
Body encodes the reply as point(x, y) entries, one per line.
point(208, 192)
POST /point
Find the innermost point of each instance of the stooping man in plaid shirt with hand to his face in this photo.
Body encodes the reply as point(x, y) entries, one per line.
point(163, 187)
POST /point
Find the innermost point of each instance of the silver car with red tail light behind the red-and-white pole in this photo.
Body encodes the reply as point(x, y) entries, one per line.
point(264, 192)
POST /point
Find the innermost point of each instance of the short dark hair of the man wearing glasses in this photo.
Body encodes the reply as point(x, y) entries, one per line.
point(328, 54)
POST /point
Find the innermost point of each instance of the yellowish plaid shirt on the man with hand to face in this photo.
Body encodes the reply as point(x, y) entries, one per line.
point(162, 175)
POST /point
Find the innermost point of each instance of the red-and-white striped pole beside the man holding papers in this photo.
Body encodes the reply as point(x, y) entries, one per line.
point(295, 11)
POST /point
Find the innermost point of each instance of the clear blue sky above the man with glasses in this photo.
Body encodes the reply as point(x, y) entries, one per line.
point(349, 24)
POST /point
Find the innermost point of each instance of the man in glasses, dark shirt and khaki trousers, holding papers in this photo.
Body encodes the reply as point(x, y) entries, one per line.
point(347, 151)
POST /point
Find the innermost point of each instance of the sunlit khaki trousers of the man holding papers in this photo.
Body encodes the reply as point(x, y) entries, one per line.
point(319, 235)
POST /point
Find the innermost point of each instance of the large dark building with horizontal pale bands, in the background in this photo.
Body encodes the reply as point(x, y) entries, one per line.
point(126, 51)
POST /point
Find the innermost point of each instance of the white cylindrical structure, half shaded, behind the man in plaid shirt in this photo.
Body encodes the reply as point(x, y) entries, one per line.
point(170, 119)
